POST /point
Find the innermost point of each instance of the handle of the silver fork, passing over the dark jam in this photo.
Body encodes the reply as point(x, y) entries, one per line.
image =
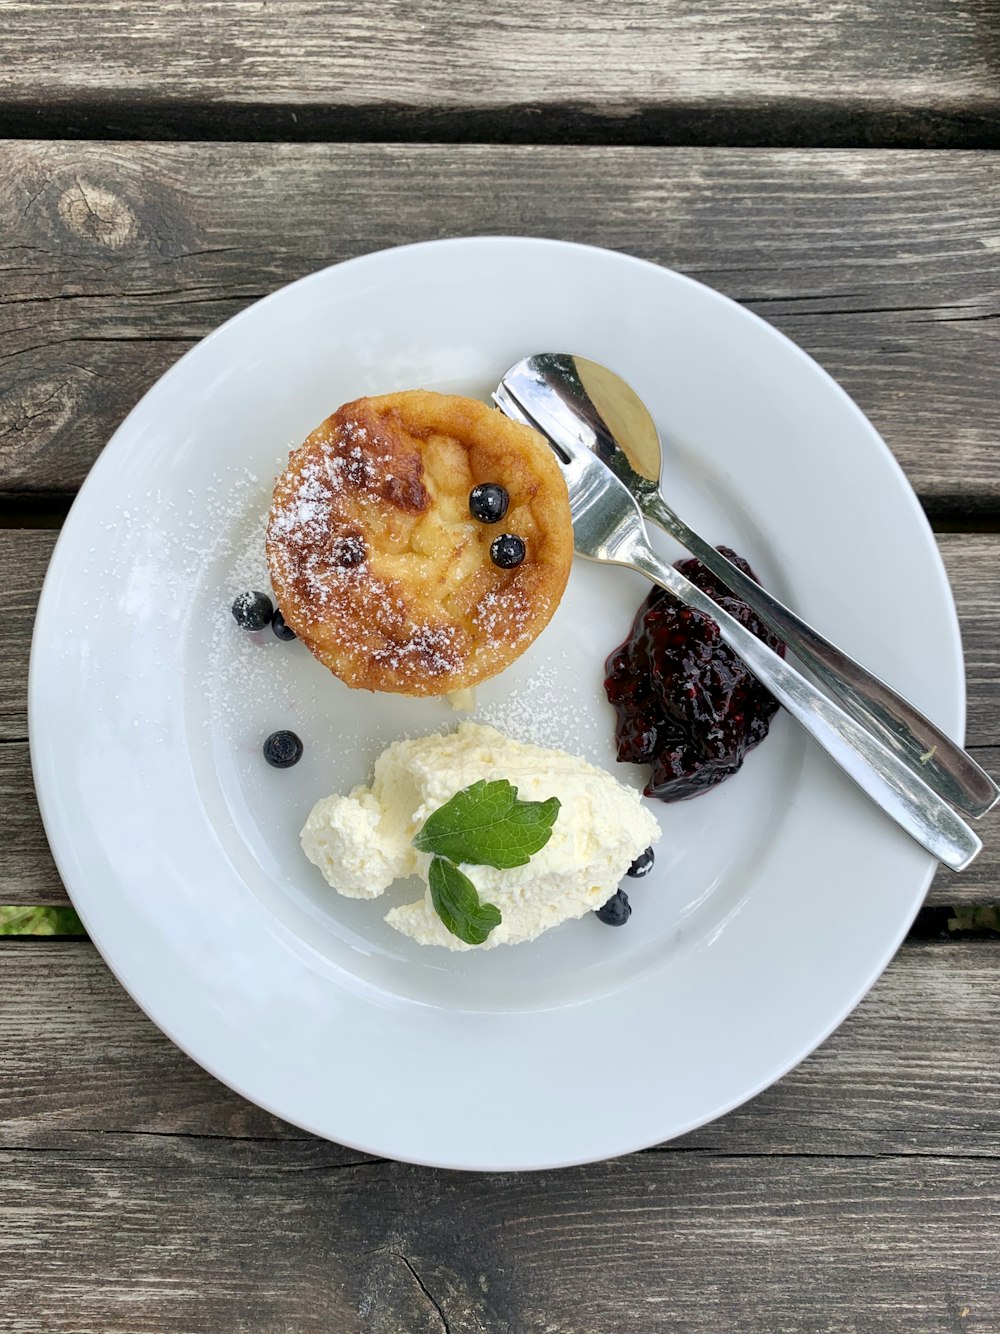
point(883, 776)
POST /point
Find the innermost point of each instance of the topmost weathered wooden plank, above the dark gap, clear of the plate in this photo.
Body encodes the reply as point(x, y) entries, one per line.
point(865, 67)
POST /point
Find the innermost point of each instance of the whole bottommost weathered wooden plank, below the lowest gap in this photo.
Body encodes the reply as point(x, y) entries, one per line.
point(139, 1195)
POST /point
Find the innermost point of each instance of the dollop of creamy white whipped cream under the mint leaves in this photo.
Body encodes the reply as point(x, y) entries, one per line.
point(363, 842)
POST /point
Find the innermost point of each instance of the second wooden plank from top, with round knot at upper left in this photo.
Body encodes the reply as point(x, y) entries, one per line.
point(117, 258)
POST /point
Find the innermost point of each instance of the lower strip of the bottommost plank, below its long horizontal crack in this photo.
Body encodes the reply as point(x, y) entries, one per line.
point(263, 1240)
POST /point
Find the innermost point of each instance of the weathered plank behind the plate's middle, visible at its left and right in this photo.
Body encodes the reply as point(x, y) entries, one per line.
point(29, 874)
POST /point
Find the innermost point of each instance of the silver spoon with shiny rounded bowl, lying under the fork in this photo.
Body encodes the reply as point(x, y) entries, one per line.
point(586, 402)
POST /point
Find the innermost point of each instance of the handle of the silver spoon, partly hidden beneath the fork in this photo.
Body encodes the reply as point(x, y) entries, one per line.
point(945, 766)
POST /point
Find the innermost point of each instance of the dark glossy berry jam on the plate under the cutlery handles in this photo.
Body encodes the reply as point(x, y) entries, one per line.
point(685, 701)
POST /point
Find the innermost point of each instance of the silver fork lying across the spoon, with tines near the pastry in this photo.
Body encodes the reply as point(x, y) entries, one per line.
point(609, 526)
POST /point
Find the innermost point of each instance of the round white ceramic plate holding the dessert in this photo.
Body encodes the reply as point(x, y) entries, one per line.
point(777, 900)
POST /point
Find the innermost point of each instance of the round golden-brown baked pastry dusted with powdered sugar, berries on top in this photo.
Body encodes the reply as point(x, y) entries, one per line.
point(419, 542)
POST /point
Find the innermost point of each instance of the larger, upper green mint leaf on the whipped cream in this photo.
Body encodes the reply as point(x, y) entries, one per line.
point(487, 825)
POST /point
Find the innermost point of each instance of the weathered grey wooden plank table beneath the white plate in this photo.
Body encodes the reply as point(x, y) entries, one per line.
point(166, 163)
